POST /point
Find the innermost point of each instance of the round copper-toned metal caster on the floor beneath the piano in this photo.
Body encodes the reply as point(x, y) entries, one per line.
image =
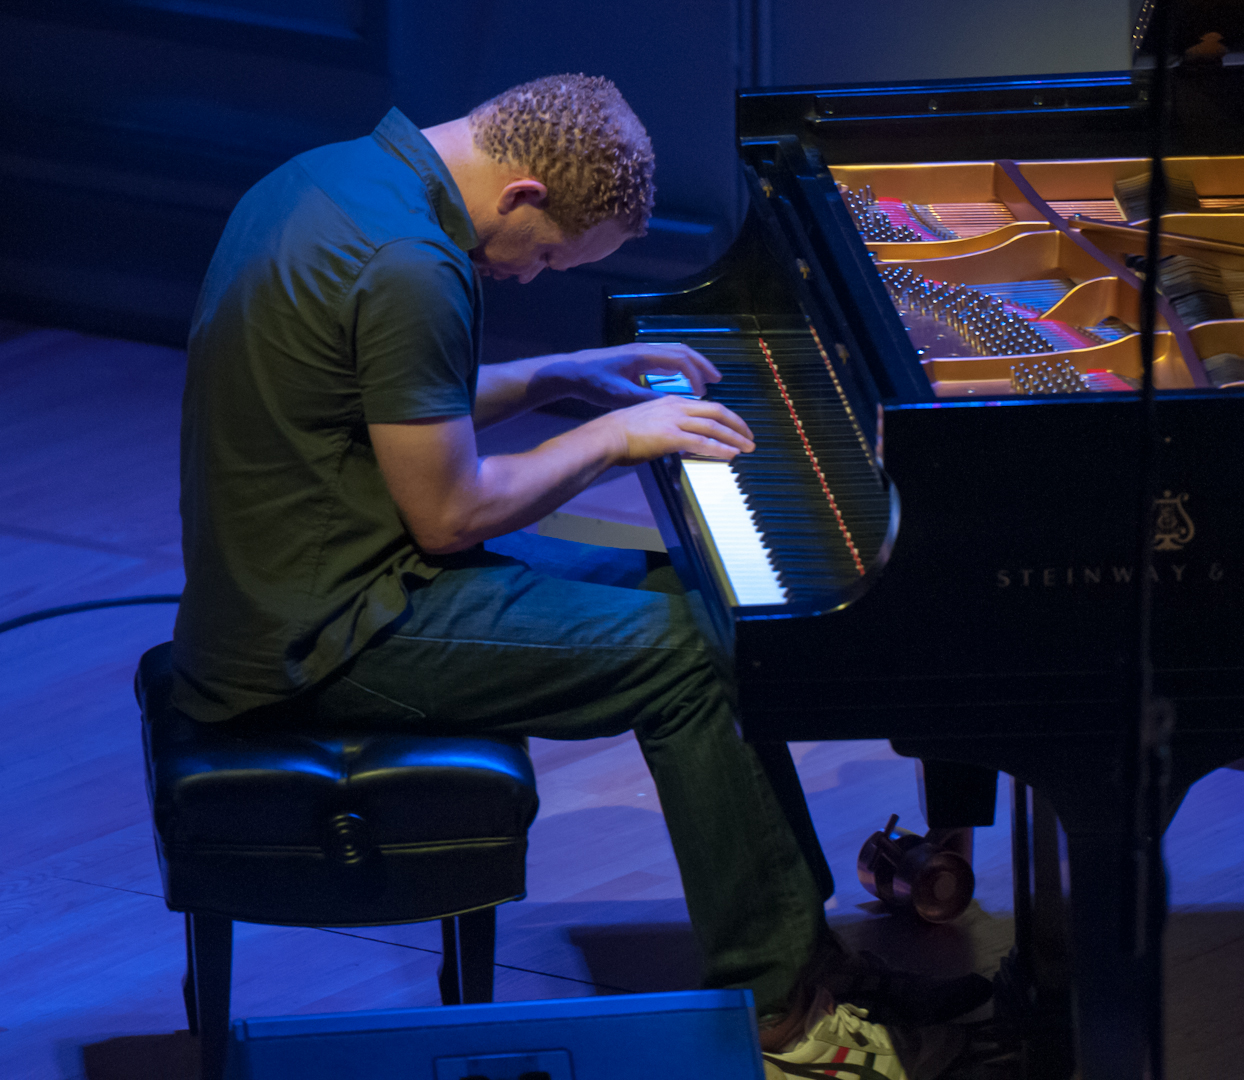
point(909, 872)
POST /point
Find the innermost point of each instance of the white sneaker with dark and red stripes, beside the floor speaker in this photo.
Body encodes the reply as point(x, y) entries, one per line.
point(843, 1043)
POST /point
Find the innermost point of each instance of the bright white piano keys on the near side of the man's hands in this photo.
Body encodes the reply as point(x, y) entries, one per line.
point(745, 557)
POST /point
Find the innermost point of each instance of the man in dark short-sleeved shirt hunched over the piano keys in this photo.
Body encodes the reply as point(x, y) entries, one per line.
point(335, 510)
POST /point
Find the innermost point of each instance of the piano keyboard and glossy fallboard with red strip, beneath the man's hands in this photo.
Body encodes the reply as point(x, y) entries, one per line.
point(805, 514)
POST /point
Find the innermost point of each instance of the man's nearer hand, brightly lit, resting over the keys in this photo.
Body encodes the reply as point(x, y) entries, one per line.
point(675, 426)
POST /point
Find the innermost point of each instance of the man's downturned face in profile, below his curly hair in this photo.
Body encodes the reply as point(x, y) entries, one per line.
point(526, 242)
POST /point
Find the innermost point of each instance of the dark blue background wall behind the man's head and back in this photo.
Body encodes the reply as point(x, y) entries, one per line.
point(129, 129)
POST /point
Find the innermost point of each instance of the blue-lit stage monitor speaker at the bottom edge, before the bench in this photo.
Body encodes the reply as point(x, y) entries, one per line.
point(695, 1036)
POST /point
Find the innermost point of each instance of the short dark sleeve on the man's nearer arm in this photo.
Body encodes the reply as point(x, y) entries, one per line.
point(414, 328)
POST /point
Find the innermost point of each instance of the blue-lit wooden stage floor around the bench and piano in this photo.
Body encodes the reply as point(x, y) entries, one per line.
point(90, 959)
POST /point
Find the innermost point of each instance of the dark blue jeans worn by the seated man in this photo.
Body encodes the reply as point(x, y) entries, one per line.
point(492, 646)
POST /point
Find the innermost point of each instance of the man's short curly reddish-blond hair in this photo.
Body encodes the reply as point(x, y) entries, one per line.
point(579, 137)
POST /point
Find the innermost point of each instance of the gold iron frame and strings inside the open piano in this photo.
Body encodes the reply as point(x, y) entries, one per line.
point(1023, 278)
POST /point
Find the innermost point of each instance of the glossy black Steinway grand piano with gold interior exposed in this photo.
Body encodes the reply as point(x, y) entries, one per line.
point(930, 320)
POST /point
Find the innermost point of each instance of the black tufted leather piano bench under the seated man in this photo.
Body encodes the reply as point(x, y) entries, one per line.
point(328, 828)
